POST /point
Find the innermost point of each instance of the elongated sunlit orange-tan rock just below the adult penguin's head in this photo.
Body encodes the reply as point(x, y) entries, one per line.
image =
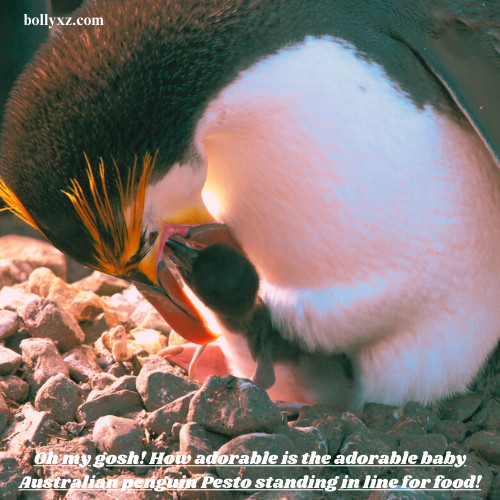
point(83, 306)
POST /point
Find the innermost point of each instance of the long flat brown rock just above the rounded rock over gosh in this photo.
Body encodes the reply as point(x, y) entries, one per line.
point(116, 403)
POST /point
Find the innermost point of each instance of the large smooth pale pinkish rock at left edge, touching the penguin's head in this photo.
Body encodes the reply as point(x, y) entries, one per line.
point(27, 254)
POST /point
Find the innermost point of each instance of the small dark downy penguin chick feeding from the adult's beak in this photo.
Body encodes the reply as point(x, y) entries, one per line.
point(227, 282)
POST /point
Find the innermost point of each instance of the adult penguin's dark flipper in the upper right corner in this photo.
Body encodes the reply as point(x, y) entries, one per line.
point(464, 54)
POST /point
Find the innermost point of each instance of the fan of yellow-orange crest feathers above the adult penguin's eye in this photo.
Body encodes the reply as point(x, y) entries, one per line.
point(121, 224)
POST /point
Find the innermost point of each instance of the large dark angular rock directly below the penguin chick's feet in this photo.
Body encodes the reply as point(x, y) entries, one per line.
point(233, 406)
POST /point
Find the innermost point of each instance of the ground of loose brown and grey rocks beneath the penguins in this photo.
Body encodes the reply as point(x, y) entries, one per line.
point(79, 376)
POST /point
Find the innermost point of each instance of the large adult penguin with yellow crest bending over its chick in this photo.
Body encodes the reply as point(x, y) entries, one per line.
point(351, 148)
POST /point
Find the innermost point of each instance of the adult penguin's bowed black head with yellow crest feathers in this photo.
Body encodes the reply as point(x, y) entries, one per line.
point(97, 140)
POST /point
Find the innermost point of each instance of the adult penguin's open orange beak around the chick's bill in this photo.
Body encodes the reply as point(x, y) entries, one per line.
point(166, 294)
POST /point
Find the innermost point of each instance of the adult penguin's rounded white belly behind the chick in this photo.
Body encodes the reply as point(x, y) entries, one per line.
point(373, 223)
